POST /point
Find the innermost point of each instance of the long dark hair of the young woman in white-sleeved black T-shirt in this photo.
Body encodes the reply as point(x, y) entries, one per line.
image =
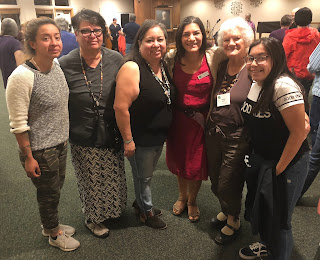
point(279, 68)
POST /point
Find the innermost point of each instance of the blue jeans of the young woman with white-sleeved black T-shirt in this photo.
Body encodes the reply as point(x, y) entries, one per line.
point(296, 175)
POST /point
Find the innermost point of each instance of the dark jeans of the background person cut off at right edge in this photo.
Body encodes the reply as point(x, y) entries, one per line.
point(314, 163)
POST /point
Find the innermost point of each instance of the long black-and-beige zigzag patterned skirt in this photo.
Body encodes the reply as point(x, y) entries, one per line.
point(101, 182)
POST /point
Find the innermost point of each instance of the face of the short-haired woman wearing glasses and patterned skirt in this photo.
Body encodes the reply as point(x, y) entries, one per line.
point(90, 42)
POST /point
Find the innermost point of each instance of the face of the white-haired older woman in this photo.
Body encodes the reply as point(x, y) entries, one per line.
point(233, 44)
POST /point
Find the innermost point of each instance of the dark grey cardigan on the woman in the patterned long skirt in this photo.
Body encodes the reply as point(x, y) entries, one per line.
point(81, 111)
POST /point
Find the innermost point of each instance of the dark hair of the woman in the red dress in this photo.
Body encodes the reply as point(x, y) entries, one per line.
point(188, 20)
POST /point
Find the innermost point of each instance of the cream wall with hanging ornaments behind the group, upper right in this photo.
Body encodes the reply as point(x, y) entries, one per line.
point(269, 10)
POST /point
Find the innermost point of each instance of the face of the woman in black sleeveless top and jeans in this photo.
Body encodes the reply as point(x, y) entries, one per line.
point(153, 45)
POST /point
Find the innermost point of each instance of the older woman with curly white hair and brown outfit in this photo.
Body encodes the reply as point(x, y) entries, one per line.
point(226, 140)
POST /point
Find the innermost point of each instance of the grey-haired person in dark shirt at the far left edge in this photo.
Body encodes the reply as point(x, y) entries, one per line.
point(11, 54)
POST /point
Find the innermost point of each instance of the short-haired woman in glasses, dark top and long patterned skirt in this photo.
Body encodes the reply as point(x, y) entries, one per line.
point(90, 71)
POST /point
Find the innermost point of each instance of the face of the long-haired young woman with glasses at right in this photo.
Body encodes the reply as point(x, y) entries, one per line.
point(259, 72)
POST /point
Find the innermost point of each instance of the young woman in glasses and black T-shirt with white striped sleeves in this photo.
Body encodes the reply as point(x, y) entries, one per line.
point(274, 113)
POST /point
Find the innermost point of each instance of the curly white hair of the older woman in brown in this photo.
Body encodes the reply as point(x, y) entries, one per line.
point(236, 23)
